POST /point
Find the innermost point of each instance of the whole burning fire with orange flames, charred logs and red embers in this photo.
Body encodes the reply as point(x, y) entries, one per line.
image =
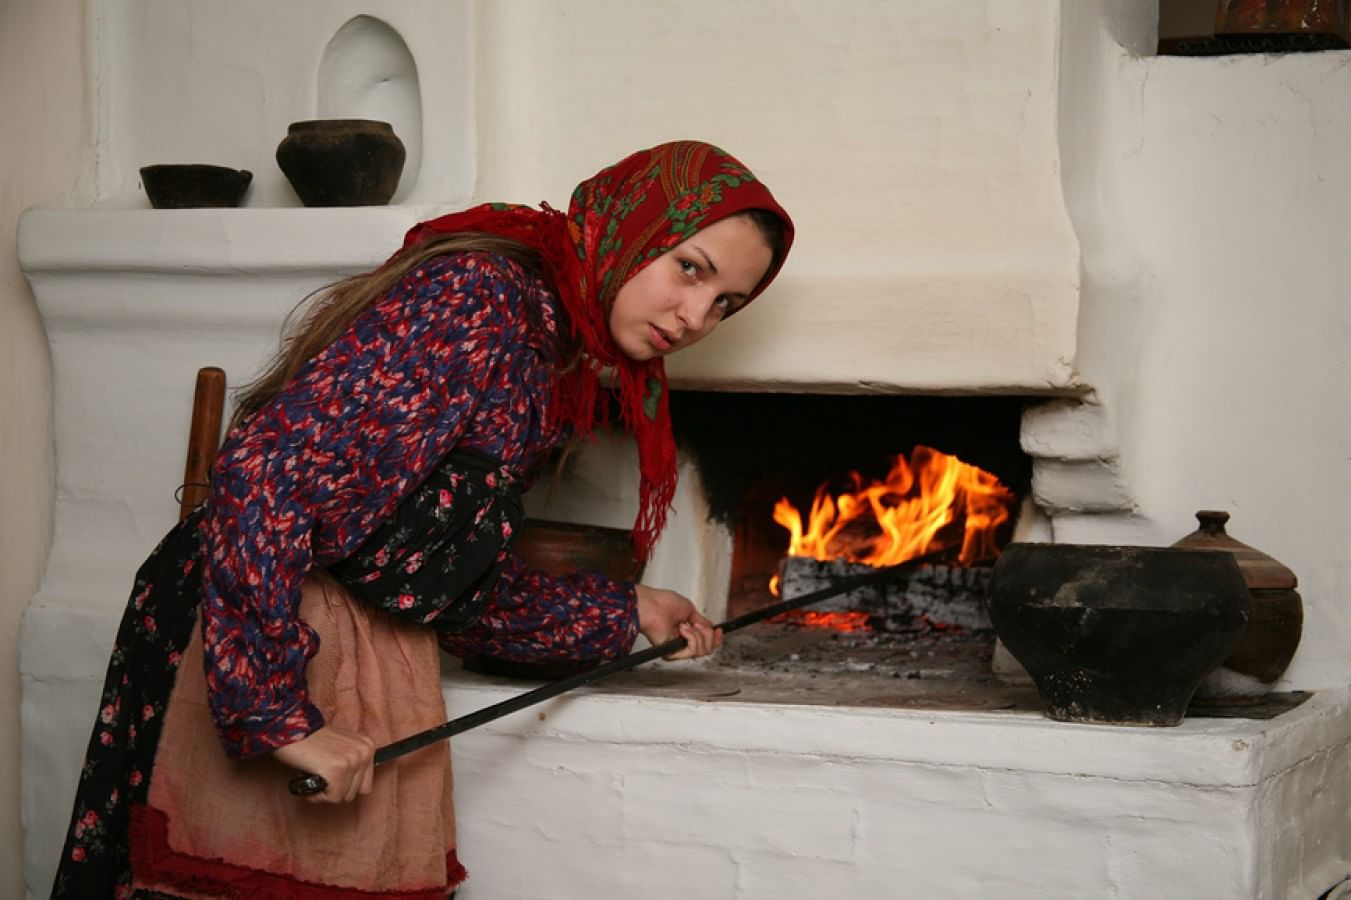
point(932, 502)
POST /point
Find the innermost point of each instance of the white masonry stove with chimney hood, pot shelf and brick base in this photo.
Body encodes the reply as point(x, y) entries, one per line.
point(979, 283)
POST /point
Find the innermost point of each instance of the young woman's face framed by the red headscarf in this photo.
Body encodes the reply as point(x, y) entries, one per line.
point(683, 295)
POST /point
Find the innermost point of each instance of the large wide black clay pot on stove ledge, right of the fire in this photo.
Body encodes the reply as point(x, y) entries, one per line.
point(1118, 636)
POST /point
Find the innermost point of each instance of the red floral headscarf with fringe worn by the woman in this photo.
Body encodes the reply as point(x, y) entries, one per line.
point(618, 222)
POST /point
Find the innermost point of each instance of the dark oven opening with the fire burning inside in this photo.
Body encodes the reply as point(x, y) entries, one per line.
point(817, 489)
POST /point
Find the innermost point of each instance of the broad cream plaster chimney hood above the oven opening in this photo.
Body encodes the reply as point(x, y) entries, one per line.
point(914, 145)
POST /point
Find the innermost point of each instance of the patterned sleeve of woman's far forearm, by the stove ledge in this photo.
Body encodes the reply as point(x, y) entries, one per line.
point(536, 618)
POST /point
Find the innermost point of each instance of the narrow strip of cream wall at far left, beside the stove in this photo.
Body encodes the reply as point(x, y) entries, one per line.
point(45, 148)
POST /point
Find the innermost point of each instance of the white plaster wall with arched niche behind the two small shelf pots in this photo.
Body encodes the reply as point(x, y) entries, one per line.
point(209, 82)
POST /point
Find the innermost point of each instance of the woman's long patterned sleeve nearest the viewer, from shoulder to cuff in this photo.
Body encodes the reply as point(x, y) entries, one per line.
point(324, 463)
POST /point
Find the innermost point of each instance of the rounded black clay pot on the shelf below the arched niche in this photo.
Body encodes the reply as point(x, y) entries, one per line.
point(342, 163)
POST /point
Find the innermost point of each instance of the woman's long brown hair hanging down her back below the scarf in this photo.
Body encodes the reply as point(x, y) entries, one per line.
point(326, 314)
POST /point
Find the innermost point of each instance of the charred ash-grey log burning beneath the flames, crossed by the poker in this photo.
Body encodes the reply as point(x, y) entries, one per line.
point(937, 597)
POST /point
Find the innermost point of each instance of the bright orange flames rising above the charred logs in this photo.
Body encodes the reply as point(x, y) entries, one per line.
point(929, 503)
